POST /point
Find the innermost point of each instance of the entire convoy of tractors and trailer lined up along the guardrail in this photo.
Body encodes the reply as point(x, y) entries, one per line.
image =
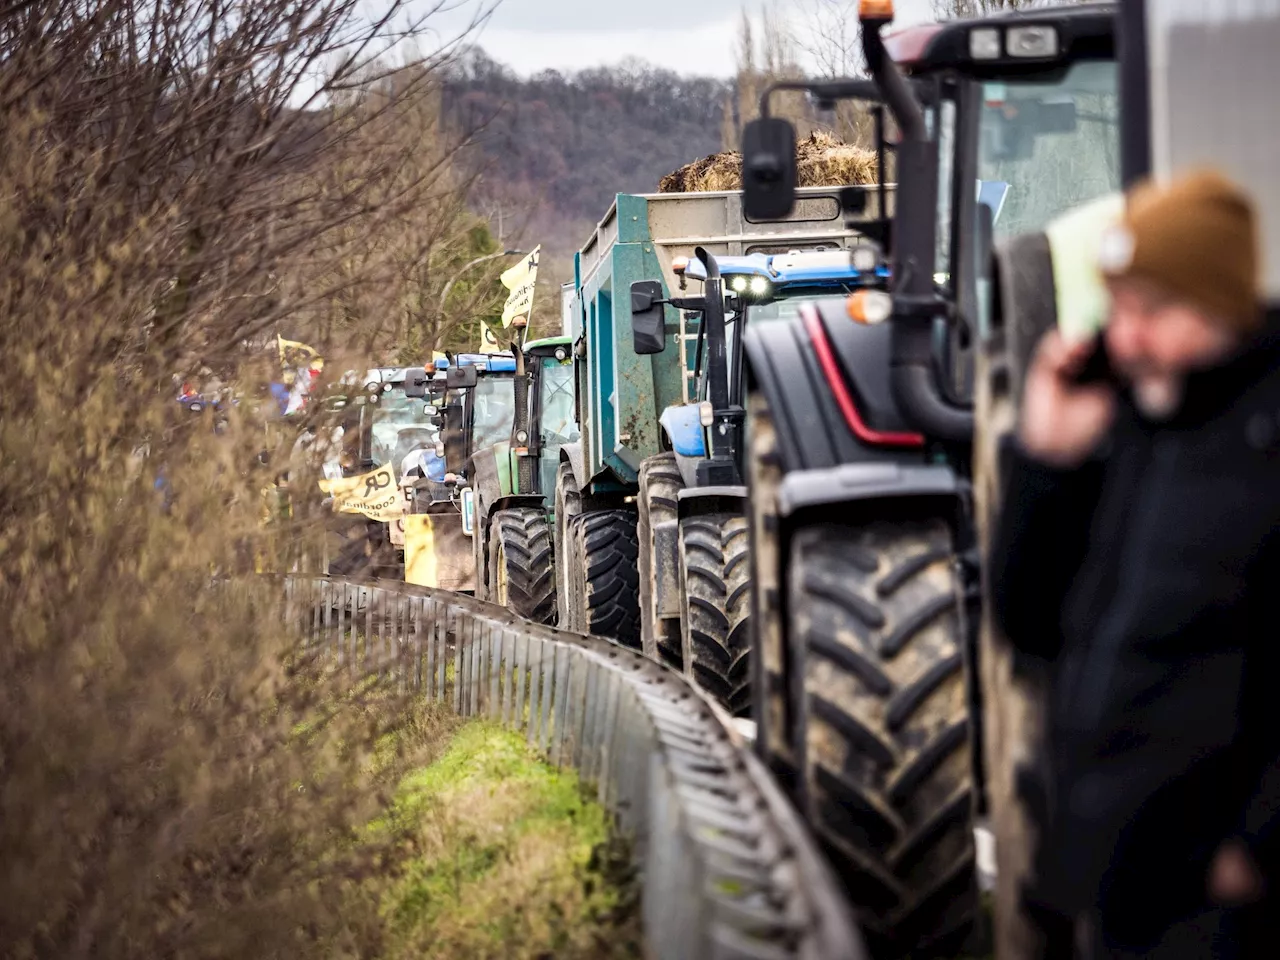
point(765, 449)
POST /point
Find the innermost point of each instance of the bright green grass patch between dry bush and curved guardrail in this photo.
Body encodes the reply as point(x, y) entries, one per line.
point(510, 860)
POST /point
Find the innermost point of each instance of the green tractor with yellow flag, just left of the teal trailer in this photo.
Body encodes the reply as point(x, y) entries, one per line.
point(513, 479)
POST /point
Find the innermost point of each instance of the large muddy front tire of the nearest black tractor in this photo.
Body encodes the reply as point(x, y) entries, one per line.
point(884, 730)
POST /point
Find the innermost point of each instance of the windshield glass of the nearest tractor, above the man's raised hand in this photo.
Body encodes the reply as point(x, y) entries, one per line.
point(1057, 144)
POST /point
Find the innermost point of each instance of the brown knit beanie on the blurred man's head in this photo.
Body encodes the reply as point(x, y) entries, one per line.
point(1196, 239)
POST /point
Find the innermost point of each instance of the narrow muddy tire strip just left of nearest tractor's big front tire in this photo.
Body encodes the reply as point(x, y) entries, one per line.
point(769, 655)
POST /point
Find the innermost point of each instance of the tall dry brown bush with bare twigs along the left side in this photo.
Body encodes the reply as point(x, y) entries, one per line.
point(176, 778)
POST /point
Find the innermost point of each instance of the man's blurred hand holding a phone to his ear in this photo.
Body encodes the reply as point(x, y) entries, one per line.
point(1063, 422)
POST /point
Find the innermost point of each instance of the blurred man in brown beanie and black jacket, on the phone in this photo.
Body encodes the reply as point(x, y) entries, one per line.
point(1139, 563)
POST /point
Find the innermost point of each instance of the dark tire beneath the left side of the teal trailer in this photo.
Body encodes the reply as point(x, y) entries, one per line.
point(606, 597)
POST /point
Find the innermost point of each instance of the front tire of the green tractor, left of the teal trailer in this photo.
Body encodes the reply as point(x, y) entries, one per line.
point(522, 565)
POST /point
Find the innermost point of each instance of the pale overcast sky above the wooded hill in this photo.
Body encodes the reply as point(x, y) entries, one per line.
point(688, 36)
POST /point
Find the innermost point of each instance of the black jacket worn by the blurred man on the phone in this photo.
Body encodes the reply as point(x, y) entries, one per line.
point(1148, 584)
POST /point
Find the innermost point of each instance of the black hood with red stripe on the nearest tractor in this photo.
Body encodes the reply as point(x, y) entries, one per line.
point(813, 432)
